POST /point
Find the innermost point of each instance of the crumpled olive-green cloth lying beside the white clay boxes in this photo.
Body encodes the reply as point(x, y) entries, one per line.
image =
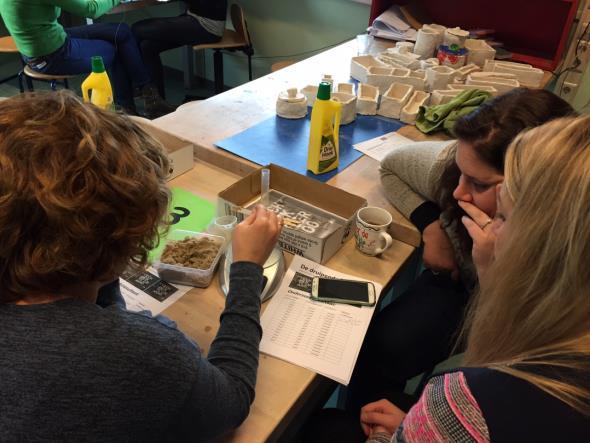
point(434, 118)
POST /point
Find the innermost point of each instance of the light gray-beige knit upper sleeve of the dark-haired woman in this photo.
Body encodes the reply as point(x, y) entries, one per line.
point(410, 173)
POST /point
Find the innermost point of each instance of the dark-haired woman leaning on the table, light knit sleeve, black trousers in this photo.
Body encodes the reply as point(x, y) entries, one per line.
point(424, 181)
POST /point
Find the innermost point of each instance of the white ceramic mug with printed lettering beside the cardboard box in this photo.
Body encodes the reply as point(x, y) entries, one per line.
point(371, 230)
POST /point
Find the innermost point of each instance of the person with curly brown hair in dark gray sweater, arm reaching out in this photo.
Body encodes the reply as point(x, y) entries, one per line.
point(83, 196)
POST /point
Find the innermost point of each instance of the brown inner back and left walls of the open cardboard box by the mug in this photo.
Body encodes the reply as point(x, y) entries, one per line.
point(319, 194)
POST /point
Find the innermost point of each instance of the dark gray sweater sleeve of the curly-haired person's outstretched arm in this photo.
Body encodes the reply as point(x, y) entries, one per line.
point(223, 389)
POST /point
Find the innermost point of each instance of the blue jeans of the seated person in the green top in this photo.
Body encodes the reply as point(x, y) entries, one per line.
point(117, 46)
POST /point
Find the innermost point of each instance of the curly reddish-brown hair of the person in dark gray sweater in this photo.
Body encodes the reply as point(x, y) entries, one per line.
point(82, 194)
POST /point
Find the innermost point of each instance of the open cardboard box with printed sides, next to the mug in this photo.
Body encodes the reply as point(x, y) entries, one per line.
point(342, 205)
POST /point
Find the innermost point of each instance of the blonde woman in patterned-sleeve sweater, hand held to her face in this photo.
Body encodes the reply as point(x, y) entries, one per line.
point(526, 374)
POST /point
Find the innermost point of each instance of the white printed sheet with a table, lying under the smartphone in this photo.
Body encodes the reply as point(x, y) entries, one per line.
point(323, 337)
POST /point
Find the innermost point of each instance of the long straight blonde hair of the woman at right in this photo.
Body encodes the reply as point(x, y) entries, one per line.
point(532, 318)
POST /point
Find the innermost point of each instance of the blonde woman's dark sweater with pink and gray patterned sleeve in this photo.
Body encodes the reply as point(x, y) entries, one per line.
point(483, 405)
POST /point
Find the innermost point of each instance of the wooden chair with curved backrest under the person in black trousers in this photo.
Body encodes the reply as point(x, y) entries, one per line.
point(238, 40)
